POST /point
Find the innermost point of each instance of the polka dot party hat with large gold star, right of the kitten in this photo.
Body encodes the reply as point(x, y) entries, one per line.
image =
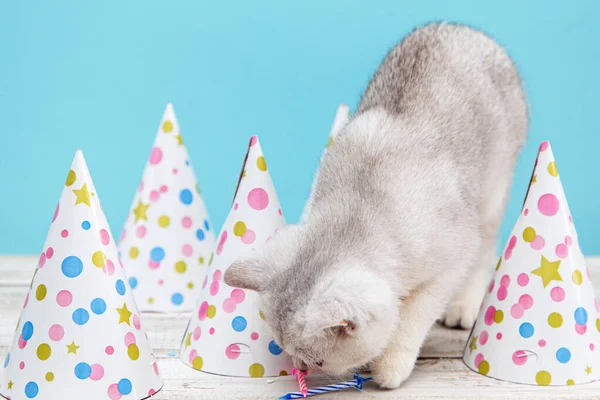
point(539, 322)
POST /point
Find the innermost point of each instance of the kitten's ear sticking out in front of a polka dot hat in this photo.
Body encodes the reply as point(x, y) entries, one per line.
point(249, 273)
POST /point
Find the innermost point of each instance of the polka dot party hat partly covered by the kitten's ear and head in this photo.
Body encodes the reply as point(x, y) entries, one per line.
point(227, 334)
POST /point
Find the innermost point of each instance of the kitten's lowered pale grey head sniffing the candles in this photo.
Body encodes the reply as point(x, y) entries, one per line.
point(324, 307)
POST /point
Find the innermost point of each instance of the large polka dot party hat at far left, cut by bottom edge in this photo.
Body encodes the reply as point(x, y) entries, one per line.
point(80, 334)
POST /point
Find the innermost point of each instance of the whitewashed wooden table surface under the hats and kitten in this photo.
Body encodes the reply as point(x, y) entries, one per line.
point(440, 373)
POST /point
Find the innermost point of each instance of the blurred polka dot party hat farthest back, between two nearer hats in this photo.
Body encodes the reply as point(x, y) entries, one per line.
point(168, 236)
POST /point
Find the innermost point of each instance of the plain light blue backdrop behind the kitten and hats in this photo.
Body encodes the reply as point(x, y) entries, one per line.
point(97, 75)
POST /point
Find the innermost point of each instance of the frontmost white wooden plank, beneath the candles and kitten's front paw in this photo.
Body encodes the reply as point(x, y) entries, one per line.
point(432, 379)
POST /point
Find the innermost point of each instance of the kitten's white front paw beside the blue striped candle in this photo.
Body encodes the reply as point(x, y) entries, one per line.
point(393, 368)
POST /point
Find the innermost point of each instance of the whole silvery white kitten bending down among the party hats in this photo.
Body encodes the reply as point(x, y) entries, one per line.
point(405, 210)
